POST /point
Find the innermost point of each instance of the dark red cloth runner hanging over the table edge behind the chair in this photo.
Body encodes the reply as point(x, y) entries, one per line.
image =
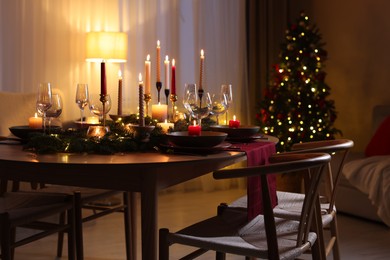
point(257, 154)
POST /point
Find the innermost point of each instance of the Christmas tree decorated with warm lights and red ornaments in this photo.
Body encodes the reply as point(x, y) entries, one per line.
point(295, 107)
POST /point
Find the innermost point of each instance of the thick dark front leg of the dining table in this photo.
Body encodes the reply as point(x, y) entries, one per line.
point(149, 223)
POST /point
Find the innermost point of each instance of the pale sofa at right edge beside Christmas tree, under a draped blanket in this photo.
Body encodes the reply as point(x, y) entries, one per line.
point(353, 198)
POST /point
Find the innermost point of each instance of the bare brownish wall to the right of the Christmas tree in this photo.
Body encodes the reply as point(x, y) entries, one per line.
point(357, 36)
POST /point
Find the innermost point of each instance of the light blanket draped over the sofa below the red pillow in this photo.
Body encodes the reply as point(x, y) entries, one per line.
point(371, 175)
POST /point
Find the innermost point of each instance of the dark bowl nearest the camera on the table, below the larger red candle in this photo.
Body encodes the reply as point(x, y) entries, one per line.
point(205, 139)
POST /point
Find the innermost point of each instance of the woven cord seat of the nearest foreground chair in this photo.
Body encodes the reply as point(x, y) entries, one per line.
point(231, 232)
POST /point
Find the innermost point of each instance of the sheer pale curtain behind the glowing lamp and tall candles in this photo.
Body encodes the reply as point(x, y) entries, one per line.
point(44, 41)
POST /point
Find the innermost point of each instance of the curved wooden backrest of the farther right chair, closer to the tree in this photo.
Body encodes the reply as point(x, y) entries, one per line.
point(338, 149)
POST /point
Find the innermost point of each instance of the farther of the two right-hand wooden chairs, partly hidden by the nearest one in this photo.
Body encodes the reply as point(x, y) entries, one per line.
point(289, 203)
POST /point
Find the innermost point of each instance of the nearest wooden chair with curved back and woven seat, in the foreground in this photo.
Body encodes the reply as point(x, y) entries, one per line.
point(265, 236)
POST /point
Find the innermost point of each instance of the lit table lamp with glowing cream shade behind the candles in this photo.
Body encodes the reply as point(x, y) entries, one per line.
point(106, 47)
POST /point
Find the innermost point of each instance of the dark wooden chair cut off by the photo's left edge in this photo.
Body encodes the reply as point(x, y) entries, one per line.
point(27, 209)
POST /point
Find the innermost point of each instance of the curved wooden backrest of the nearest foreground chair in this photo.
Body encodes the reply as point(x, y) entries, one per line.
point(281, 164)
